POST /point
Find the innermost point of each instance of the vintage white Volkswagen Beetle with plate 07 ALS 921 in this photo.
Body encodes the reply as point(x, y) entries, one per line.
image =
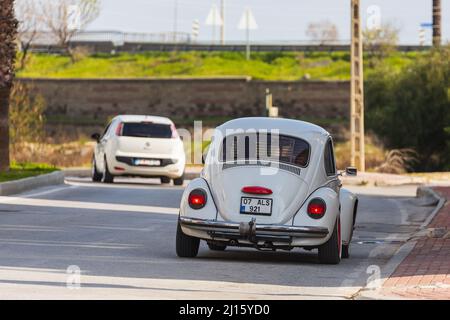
point(269, 184)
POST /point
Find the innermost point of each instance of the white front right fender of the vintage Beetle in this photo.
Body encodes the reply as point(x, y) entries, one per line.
point(349, 203)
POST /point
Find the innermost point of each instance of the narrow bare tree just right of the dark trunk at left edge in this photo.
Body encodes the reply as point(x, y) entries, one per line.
point(30, 25)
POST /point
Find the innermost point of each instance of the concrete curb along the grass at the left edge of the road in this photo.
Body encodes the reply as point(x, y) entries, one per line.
point(22, 185)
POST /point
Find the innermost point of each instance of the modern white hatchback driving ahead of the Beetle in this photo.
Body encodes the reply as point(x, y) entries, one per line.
point(134, 145)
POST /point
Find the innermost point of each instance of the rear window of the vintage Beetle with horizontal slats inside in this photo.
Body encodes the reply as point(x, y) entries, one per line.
point(290, 150)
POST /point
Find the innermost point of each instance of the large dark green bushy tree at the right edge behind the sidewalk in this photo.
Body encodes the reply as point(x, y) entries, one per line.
point(410, 108)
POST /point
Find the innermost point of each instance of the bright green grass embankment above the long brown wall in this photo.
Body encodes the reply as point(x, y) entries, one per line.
point(263, 65)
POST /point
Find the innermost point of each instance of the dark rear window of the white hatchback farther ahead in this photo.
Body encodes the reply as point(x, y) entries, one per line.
point(146, 130)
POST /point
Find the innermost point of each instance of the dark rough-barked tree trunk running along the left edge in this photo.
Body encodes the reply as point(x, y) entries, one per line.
point(8, 31)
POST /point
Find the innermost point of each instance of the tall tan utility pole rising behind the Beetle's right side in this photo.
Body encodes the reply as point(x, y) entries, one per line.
point(357, 90)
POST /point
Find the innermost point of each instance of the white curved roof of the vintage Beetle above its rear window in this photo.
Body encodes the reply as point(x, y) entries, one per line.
point(292, 127)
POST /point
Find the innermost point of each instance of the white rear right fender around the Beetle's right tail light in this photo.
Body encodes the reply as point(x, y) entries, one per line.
point(332, 211)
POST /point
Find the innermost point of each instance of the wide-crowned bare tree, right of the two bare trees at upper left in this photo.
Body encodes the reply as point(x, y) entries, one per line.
point(64, 18)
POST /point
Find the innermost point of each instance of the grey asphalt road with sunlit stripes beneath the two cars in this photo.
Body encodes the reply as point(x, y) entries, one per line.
point(122, 239)
